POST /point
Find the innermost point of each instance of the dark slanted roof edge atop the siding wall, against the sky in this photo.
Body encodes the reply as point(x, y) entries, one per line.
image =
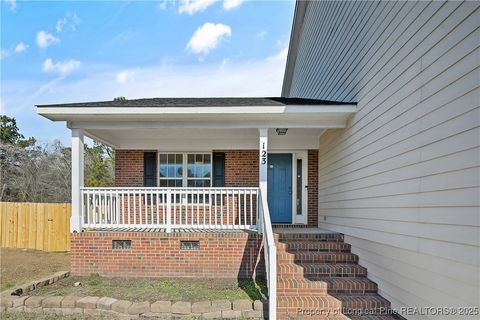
point(297, 26)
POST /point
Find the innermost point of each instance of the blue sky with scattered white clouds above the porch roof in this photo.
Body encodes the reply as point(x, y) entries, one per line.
point(73, 51)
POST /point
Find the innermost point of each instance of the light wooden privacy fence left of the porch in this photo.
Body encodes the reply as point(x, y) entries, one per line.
point(41, 226)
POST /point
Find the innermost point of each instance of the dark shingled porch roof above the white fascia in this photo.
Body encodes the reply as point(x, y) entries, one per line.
point(197, 102)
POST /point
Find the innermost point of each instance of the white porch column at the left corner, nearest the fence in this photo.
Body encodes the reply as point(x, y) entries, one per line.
point(77, 180)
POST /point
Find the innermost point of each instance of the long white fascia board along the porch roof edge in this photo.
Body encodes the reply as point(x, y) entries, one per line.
point(56, 112)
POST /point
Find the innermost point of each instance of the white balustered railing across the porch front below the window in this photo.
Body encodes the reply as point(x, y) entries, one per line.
point(195, 208)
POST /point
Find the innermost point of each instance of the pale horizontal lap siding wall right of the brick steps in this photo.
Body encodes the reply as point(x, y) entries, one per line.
point(402, 180)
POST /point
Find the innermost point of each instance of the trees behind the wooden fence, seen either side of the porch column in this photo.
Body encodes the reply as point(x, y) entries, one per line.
point(42, 173)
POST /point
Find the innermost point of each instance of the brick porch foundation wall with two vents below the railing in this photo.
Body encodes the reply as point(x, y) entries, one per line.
point(158, 254)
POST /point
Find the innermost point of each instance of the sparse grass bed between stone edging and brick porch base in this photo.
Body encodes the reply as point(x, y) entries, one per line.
point(143, 289)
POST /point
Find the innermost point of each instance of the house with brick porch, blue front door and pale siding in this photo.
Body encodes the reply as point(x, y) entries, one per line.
point(368, 161)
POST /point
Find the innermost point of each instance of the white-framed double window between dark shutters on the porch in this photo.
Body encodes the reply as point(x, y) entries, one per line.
point(185, 169)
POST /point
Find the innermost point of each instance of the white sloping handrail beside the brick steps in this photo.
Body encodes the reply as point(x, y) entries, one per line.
point(269, 250)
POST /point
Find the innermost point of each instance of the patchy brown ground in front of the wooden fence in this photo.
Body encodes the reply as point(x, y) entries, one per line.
point(19, 266)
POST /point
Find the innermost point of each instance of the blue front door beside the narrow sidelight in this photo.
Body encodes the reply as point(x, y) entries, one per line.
point(280, 187)
